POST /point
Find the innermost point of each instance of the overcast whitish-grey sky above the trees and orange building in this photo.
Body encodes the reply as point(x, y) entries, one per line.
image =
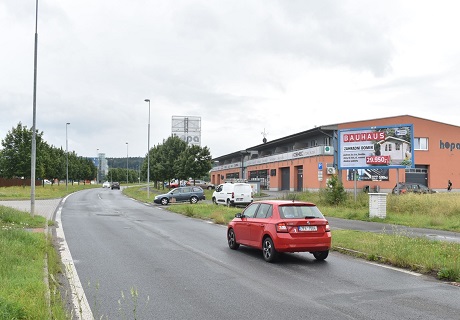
point(244, 67)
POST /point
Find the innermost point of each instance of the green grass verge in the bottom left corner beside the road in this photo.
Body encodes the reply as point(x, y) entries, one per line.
point(22, 254)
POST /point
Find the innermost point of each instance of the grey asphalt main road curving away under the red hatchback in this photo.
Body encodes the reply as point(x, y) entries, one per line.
point(182, 268)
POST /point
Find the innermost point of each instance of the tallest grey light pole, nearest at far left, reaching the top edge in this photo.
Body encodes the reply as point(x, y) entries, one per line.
point(33, 157)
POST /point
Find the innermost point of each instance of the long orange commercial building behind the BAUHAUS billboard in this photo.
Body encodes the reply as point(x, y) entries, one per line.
point(430, 155)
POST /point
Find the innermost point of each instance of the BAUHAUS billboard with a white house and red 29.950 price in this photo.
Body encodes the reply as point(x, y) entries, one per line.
point(383, 147)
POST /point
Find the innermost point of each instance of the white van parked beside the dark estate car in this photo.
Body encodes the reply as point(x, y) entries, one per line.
point(233, 194)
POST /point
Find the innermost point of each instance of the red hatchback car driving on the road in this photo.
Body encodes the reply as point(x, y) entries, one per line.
point(281, 226)
